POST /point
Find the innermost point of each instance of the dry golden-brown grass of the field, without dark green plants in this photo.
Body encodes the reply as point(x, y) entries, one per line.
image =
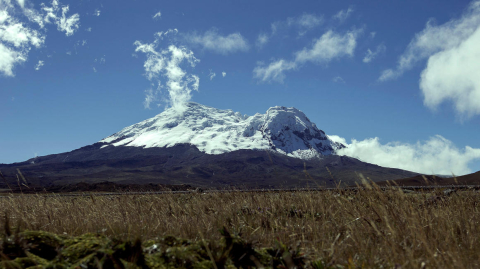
point(365, 229)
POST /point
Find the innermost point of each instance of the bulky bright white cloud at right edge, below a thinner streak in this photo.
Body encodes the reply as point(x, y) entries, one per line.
point(453, 75)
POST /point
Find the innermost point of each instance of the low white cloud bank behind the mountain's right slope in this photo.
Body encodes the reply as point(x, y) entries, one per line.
point(434, 156)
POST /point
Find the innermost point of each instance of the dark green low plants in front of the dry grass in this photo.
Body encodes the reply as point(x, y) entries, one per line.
point(39, 249)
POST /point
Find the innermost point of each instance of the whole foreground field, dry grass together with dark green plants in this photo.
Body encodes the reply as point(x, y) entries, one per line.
point(369, 228)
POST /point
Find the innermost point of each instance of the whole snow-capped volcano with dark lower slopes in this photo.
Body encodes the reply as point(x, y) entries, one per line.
point(208, 147)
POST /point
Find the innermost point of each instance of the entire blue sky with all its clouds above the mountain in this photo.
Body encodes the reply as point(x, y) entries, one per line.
point(396, 80)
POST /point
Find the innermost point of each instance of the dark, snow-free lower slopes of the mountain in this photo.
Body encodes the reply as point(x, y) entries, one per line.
point(185, 164)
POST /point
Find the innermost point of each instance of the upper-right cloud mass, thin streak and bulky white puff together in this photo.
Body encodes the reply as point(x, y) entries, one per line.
point(453, 62)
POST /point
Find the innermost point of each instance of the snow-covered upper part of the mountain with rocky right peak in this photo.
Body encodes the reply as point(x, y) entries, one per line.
point(215, 131)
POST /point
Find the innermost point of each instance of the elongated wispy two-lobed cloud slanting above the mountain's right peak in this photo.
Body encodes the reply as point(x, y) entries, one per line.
point(328, 47)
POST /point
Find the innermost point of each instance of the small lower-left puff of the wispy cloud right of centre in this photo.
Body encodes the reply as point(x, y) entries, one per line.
point(274, 71)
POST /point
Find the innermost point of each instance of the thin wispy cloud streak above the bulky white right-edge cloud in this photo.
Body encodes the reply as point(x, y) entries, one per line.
point(434, 39)
